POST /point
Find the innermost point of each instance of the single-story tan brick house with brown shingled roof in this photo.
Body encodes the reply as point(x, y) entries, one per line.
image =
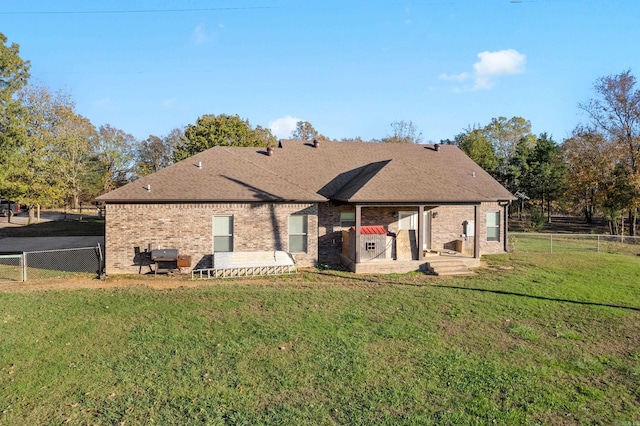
point(365, 205)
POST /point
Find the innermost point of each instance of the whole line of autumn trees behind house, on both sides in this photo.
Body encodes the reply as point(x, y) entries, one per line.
point(52, 156)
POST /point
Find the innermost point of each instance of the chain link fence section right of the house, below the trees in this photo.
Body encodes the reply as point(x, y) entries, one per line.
point(574, 243)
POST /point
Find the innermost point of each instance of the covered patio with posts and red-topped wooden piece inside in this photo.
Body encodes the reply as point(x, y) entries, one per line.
point(412, 239)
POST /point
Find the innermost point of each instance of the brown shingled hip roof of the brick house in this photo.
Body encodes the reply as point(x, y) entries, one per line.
point(299, 172)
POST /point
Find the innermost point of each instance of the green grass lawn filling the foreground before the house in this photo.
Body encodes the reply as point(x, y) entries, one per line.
point(533, 338)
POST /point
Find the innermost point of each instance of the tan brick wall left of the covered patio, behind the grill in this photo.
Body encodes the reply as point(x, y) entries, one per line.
point(188, 228)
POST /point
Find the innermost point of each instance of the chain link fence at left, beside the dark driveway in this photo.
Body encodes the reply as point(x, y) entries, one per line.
point(34, 265)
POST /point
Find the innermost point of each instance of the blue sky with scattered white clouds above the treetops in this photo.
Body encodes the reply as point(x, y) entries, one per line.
point(348, 67)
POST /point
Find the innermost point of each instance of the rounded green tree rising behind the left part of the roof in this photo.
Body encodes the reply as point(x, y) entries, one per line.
point(221, 130)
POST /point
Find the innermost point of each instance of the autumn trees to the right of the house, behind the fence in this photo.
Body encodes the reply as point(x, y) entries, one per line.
point(595, 171)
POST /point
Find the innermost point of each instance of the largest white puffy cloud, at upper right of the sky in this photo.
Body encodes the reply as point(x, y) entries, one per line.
point(490, 66)
